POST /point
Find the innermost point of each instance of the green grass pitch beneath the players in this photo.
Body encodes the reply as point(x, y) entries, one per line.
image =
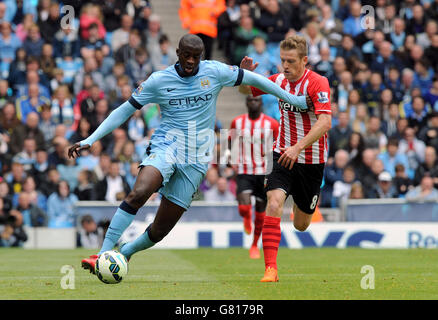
point(226, 274)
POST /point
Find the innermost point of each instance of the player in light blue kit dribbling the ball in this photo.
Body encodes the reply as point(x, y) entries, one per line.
point(180, 149)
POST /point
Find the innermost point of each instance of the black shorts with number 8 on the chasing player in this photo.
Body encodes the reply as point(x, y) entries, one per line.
point(303, 182)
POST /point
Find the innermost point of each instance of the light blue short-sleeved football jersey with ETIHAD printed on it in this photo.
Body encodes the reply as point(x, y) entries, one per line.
point(188, 107)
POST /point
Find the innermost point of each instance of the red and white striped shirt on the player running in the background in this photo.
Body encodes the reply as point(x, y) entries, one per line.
point(254, 137)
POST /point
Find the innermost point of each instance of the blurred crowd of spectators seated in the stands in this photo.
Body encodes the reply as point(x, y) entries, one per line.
point(57, 84)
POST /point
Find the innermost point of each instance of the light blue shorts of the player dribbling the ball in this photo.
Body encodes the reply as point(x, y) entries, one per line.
point(180, 181)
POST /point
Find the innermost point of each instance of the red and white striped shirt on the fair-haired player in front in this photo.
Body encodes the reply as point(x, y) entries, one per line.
point(296, 123)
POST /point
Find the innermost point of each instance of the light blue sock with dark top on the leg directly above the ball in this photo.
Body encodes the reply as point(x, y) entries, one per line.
point(121, 220)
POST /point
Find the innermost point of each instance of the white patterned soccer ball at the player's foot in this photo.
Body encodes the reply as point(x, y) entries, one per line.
point(111, 267)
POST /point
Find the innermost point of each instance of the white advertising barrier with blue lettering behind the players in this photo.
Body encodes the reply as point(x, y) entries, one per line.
point(186, 235)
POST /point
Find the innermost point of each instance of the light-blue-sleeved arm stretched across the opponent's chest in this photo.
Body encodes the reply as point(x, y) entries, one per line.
point(266, 85)
